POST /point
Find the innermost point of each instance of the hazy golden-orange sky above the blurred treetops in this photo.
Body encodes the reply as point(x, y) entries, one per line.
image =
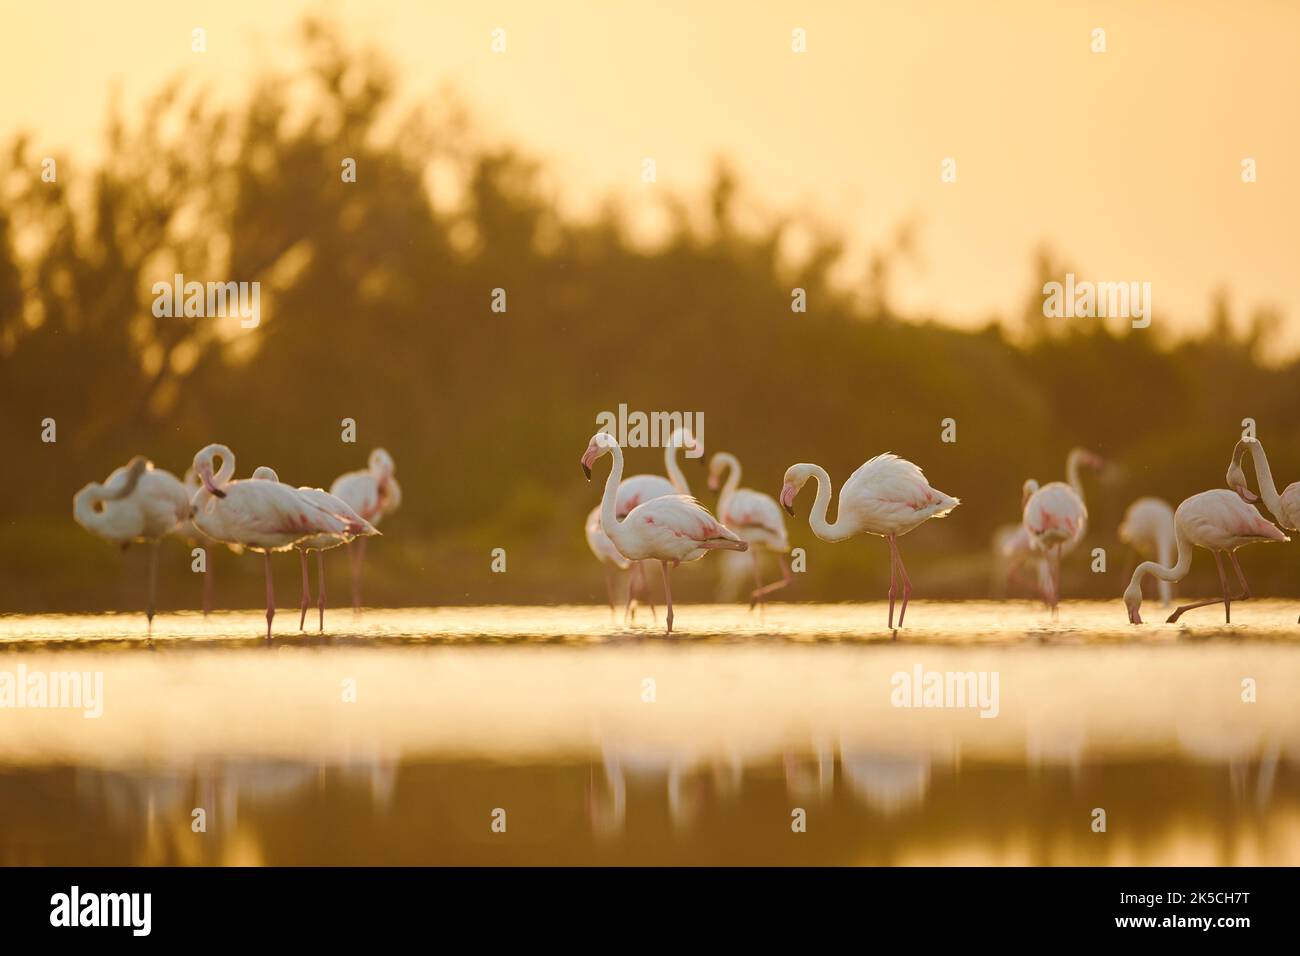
point(1128, 163)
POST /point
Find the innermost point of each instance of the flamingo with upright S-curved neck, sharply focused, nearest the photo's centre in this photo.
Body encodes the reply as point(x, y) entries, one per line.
point(673, 529)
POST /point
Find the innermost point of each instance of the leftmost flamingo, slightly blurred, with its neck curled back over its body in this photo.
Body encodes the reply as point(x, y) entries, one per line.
point(138, 503)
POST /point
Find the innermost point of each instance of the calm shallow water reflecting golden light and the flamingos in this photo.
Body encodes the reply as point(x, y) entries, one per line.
point(395, 738)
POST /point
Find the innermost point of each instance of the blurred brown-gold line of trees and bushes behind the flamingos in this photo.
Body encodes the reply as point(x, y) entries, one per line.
point(376, 306)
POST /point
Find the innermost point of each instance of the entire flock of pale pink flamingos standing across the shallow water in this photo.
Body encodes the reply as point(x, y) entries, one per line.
point(655, 518)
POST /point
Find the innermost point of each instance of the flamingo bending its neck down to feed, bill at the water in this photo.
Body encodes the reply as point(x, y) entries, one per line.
point(1220, 522)
